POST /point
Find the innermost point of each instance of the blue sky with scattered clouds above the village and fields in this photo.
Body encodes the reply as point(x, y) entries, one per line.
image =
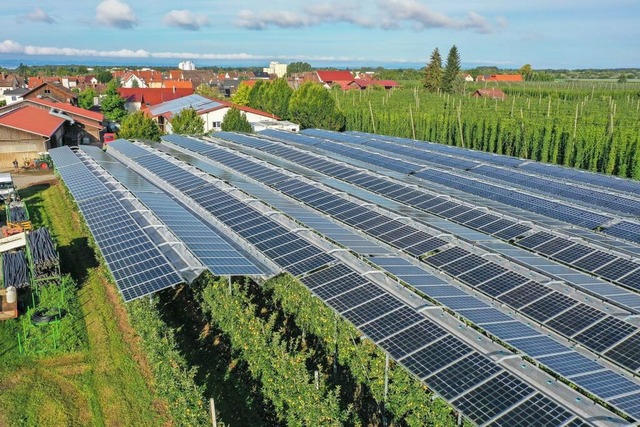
point(568, 34)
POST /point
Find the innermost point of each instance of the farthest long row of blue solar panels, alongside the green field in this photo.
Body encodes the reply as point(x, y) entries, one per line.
point(589, 196)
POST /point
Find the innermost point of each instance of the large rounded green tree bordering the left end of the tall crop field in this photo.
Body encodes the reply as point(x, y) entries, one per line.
point(312, 106)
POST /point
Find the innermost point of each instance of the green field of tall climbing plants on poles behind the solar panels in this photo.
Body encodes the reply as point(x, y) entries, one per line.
point(589, 125)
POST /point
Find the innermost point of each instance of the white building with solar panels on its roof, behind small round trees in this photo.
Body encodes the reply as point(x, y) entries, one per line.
point(212, 111)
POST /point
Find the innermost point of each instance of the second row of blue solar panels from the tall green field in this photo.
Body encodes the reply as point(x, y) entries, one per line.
point(556, 209)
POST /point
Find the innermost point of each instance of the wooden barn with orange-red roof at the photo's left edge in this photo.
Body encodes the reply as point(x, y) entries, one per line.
point(26, 131)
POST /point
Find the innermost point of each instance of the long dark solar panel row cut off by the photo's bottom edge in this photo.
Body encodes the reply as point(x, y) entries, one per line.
point(425, 348)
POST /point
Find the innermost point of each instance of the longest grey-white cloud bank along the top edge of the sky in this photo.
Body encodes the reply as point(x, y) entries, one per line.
point(387, 14)
